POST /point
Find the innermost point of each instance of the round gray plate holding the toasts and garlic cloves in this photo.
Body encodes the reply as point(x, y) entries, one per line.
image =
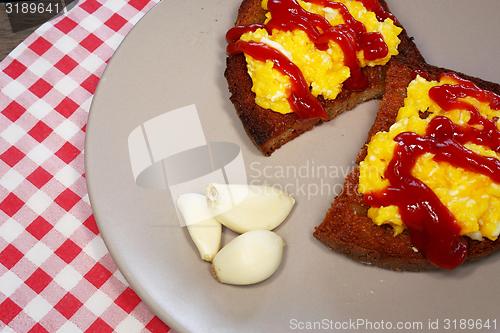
point(175, 57)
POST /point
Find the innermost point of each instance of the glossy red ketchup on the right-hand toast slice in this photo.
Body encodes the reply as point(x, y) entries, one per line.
point(433, 228)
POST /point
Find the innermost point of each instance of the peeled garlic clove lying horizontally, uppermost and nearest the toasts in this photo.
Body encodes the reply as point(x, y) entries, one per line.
point(243, 208)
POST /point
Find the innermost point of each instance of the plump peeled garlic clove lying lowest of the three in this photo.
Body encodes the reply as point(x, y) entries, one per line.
point(249, 258)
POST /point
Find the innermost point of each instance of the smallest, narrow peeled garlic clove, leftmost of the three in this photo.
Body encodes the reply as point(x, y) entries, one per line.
point(204, 230)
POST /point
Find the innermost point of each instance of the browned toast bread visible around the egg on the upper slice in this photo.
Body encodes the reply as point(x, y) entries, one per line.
point(270, 130)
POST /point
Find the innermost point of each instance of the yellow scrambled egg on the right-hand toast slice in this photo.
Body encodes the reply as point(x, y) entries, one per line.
point(473, 199)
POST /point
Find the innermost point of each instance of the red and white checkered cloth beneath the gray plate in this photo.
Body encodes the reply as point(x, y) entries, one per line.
point(55, 272)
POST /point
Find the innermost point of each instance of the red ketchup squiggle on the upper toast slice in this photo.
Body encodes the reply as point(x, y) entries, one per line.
point(288, 15)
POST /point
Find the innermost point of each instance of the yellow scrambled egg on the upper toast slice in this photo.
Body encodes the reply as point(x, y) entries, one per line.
point(323, 70)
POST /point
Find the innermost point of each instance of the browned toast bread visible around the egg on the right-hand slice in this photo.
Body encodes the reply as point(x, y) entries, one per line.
point(347, 229)
